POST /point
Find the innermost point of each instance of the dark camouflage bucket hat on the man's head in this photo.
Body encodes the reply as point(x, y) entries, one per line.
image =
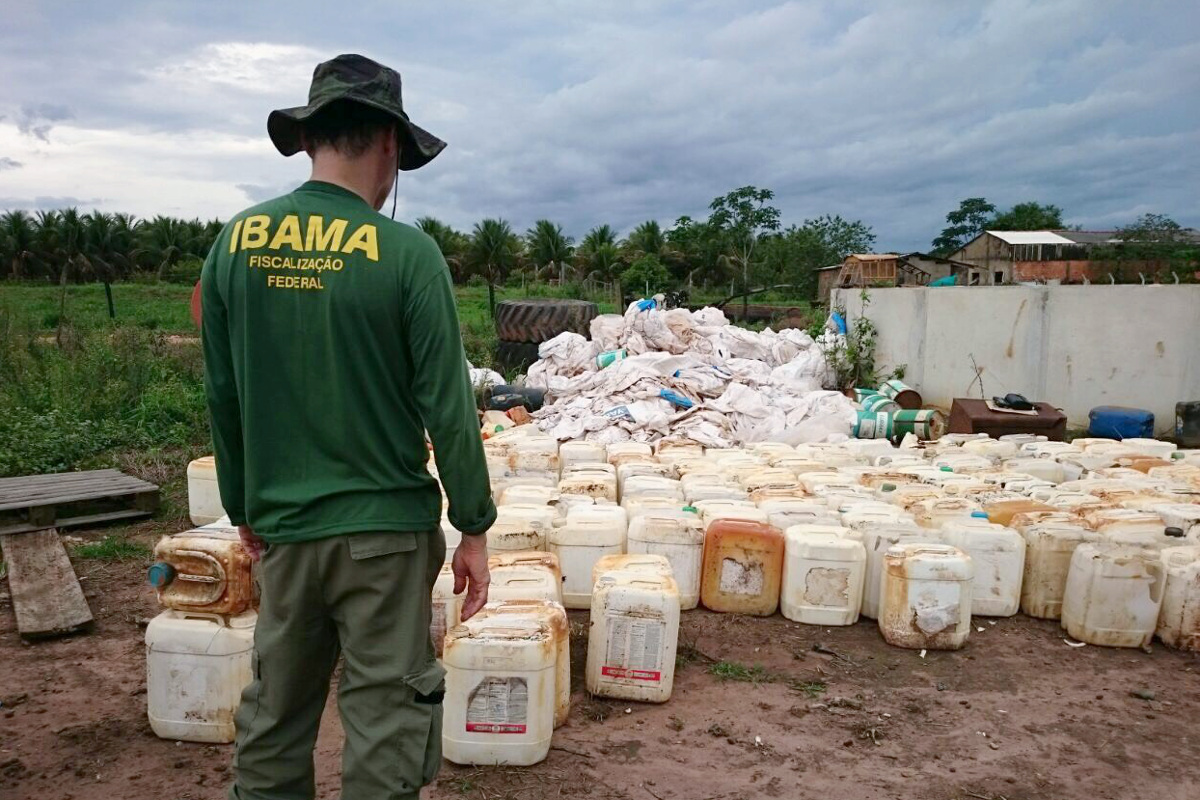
point(363, 81)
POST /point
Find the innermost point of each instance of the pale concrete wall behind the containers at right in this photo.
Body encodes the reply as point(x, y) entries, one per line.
point(1073, 346)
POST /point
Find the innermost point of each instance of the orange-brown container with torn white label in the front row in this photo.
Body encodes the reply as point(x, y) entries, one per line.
point(743, 568)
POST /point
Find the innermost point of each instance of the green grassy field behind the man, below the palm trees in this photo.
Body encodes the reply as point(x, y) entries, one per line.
point(128, 393)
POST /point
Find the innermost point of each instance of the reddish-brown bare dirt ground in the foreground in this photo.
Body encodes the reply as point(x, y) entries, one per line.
point(831, 714)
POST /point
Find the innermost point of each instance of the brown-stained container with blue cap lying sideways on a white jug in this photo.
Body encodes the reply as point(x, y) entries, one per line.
point(206, 570)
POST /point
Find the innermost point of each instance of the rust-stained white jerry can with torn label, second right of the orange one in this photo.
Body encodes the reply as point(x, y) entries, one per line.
point(926, 598)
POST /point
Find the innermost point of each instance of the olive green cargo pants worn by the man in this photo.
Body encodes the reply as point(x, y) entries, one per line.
point(367, 597)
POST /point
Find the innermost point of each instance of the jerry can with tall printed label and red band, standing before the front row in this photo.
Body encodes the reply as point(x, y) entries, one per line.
point(635, 633)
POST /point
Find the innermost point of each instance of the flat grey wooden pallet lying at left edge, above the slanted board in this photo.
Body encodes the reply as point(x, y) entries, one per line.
point(73, 500)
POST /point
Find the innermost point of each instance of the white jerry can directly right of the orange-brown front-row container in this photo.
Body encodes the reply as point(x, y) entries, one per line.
point(824, 578)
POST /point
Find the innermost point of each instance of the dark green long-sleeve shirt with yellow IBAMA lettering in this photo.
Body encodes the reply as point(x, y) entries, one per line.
point(332, 344)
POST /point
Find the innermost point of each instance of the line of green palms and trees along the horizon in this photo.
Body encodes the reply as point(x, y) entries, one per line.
point(739, 245)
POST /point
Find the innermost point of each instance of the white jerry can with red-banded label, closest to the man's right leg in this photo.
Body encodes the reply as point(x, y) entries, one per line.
point(501, 691)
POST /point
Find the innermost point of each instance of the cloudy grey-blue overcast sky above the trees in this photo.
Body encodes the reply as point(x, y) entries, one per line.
point(620, 112)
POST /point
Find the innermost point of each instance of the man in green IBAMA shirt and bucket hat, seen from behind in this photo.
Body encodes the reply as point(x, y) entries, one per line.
point(332, 345)
